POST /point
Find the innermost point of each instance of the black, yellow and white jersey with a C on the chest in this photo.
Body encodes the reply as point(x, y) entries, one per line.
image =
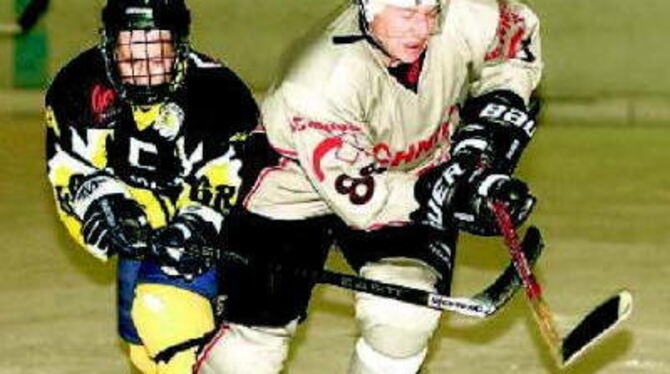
point(182, 154)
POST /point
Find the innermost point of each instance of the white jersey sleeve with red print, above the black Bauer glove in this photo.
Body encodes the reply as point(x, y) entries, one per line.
point(513, 59)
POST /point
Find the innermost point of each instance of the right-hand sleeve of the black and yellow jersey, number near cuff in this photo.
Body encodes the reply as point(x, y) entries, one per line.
point(212, 153)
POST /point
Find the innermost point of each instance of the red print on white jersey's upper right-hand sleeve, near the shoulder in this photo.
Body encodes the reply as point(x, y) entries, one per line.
point(511, 29)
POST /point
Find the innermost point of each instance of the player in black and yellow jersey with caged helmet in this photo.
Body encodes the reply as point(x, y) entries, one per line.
point(144, 144)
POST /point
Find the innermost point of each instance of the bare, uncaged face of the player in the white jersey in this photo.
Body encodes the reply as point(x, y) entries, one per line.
point(404, 31)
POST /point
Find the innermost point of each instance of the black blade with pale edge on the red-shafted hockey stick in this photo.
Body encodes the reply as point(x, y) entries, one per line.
point(593, 328)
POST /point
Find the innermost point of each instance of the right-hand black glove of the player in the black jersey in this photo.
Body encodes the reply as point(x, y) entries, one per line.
point(186, 247)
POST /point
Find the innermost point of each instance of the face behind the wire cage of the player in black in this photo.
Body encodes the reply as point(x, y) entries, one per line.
point(145, 57)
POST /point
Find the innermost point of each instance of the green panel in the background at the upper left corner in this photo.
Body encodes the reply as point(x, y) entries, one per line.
point(30, 55)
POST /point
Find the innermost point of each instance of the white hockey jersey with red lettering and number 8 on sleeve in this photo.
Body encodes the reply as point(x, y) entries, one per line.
point(353, 139)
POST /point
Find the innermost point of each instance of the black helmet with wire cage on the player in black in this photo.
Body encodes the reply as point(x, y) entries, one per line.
point(146, 15)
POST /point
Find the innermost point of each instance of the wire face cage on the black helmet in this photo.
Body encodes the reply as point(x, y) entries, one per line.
point(145, 94)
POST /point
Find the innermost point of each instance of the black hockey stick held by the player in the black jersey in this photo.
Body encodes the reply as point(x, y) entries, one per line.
point(482, 305)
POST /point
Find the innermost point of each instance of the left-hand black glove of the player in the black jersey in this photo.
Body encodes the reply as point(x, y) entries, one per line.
point(115, 224)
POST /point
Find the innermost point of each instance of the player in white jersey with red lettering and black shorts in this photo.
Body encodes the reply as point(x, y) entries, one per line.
point(391, 133)
